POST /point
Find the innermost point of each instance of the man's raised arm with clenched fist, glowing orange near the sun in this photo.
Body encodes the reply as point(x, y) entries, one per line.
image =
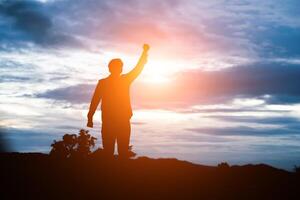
point(133, 74)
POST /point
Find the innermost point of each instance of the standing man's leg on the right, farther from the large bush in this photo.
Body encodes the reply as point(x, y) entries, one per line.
point(123, 138)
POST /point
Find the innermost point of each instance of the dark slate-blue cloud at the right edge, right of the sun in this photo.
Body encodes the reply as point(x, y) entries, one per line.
point(255, 79)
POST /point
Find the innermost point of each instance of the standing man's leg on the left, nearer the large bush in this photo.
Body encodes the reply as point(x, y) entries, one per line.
point(108, 137)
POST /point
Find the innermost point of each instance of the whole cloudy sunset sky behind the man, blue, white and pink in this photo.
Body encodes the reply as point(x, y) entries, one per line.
point(221, 82)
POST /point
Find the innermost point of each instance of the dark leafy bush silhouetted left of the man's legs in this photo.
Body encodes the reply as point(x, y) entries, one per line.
point(73, 145)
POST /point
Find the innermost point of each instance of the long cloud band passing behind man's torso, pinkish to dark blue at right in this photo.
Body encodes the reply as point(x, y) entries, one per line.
point(275, 83)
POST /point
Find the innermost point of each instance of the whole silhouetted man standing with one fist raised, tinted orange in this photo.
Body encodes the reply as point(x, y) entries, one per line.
point(115, 105)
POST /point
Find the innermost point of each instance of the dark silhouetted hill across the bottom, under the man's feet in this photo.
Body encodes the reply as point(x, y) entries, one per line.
point(39, 176)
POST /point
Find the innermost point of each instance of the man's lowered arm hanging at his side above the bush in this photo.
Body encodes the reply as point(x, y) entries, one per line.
point(94, 104)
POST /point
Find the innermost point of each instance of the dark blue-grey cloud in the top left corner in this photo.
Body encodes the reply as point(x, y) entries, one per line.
point(30, 21)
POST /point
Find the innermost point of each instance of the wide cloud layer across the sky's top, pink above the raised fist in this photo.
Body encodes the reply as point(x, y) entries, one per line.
point(237, 29)
